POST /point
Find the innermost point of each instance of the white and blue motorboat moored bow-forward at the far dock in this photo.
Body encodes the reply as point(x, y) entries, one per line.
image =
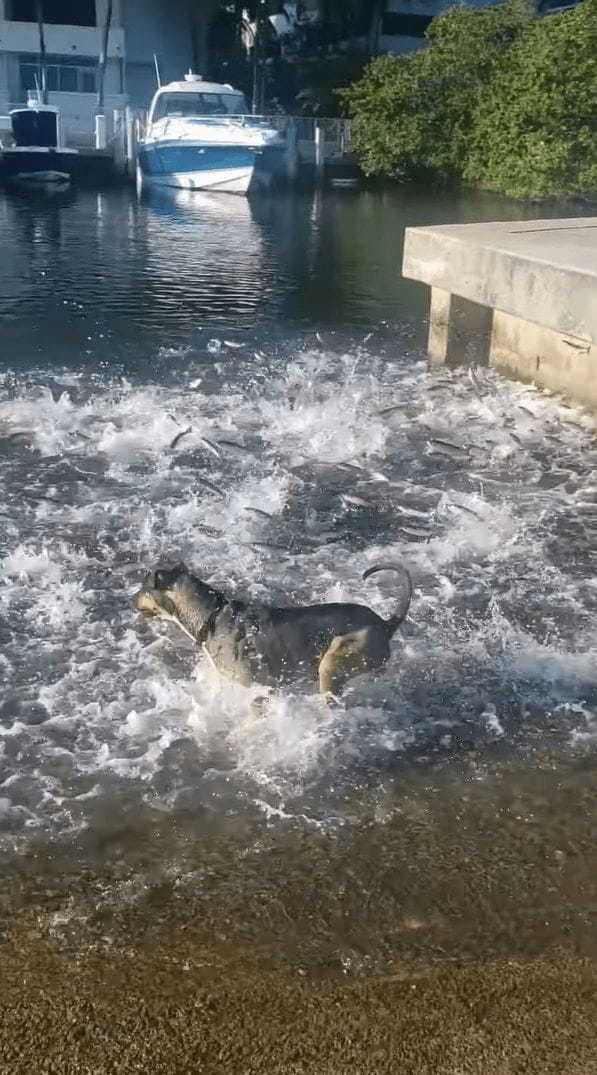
point(201, 137)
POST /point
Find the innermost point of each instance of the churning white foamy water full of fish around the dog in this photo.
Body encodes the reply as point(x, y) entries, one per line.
point(292, 477)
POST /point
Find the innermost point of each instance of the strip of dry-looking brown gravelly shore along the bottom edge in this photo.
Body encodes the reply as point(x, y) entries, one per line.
point(192, 1004)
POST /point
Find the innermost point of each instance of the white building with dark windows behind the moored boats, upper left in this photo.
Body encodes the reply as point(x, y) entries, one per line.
point(74, 34)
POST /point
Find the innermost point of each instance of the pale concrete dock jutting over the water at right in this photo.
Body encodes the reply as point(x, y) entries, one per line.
point(519, 296)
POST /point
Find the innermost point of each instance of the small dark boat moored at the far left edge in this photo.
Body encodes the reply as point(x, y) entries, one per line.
point(37, 161)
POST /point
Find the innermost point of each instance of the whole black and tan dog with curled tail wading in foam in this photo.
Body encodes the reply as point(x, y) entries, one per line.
point(258, 644)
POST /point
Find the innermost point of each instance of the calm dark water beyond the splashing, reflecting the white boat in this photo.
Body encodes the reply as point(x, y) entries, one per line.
point(104, 278)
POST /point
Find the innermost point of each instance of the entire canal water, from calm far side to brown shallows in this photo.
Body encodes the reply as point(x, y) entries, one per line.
point(243, 385)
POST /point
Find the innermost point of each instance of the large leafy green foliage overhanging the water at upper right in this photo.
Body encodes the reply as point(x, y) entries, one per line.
point(500, 97)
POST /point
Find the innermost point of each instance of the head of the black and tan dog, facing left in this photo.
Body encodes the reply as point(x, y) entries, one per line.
point(176, 594)
